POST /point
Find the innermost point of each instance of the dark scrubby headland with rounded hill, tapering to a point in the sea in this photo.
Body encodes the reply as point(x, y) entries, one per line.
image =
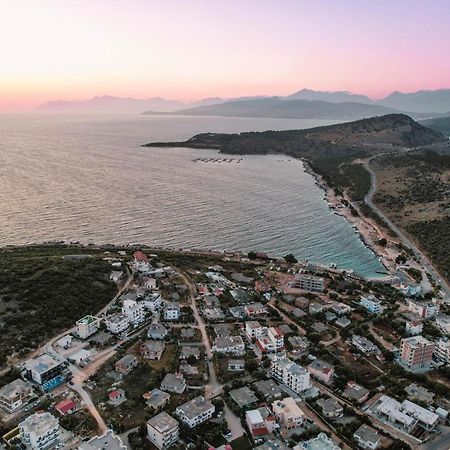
point(363, 135)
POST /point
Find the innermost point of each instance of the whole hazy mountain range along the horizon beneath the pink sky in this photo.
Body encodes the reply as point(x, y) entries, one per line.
point(303, 104)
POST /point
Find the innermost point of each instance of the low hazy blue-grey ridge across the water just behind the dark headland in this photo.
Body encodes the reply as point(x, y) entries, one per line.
point(276, 107)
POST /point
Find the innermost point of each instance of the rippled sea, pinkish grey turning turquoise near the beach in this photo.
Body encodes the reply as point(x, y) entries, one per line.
point(86, 178)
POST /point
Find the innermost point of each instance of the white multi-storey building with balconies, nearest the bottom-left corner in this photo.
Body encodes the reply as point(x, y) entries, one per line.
point(39, 431)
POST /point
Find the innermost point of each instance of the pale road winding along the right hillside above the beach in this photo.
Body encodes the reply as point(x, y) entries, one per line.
point(424, 261)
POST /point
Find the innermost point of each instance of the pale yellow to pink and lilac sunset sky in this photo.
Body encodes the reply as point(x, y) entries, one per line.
point(192, 49)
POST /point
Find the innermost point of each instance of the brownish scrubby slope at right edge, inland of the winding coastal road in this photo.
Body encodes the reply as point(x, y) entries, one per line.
point(414, 191)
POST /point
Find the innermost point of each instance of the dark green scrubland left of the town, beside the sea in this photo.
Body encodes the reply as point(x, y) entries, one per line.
point(48, 290)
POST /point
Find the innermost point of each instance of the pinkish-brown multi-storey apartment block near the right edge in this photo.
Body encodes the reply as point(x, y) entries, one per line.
point(416, 353)
